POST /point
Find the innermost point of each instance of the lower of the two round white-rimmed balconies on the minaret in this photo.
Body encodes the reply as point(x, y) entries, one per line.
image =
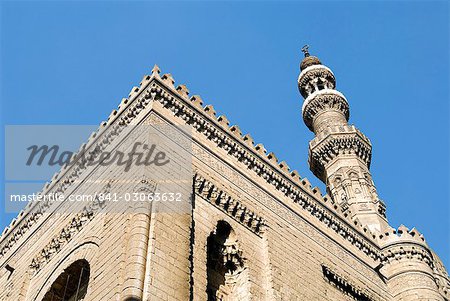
point(319, 101)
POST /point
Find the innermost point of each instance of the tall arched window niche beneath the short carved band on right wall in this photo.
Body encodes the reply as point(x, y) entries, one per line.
point(227, 278)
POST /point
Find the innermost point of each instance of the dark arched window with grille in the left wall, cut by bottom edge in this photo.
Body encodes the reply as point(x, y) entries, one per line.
point(72, 284)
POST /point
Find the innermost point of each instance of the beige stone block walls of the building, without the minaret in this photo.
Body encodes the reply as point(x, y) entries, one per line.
point(289, 242)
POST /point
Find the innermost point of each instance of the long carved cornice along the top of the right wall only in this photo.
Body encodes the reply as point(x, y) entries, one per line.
point(319, 210)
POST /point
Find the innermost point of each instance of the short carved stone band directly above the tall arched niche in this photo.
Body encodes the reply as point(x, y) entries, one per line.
point(233, 208)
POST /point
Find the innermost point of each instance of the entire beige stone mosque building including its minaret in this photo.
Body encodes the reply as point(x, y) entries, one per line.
point(252, 230)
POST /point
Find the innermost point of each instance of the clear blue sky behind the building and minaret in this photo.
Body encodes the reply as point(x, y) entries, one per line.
point(72, 62)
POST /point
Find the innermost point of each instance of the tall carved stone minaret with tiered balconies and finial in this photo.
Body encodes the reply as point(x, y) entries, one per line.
point(340, 154)
